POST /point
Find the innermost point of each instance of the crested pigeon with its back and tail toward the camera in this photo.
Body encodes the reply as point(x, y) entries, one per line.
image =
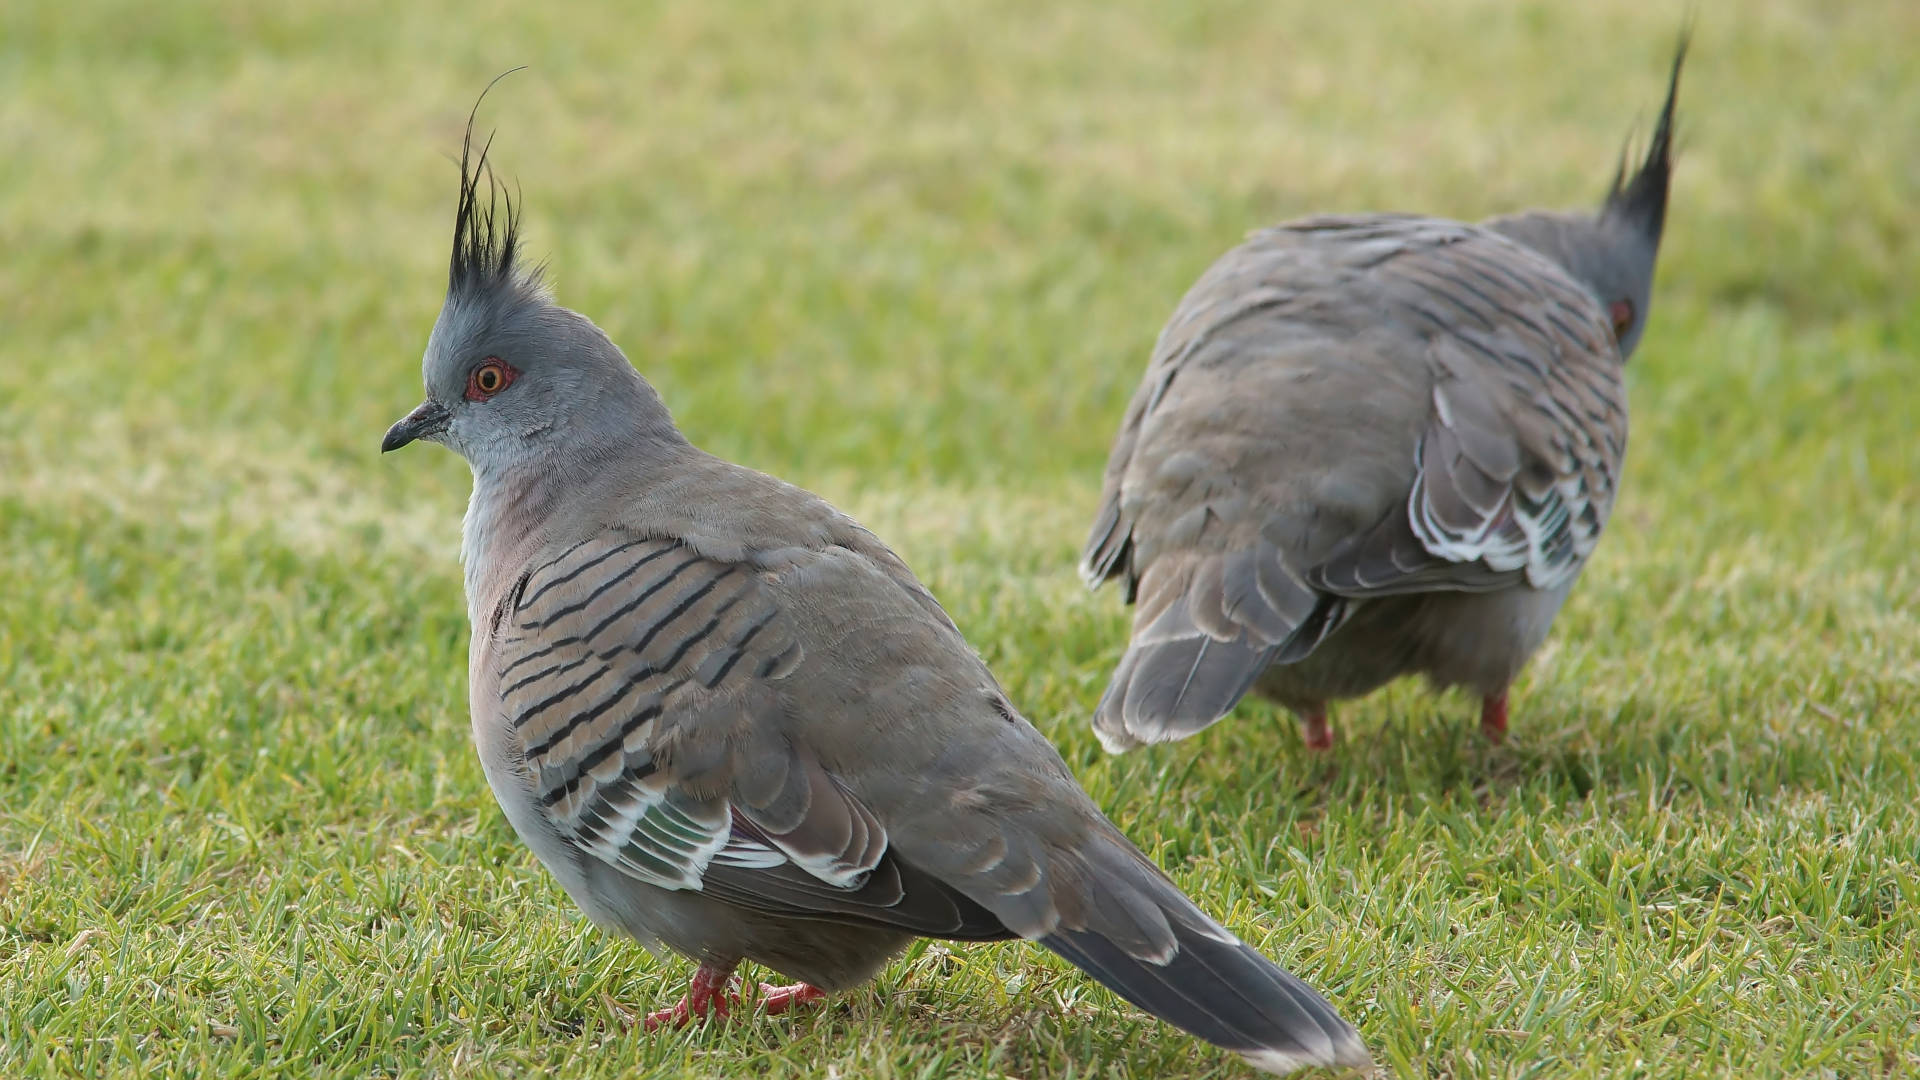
point(1374, 447)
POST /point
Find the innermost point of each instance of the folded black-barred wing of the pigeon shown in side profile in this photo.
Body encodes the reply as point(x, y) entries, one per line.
point(640, 679)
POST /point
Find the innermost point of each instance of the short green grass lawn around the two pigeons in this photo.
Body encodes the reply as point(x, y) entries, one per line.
point(913, 257)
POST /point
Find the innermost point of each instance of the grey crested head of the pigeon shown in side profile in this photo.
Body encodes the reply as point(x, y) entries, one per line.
point(512, 378)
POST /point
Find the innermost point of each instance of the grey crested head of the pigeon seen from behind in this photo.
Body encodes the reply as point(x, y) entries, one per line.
point(1614, 251)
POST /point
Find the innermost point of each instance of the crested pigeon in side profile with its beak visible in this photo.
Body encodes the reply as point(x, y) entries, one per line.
point(732, 724)
